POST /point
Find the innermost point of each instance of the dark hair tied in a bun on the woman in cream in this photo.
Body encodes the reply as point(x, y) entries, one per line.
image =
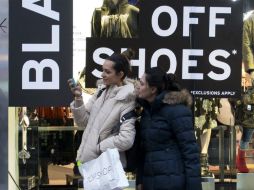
point(122, 61)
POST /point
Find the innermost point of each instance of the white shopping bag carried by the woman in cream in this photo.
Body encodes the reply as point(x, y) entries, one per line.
point(104, 173)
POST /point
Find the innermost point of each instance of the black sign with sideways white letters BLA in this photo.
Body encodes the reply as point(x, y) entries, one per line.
point(40, 52)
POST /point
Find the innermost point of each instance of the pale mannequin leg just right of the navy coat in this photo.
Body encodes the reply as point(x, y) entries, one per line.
point(204, 143)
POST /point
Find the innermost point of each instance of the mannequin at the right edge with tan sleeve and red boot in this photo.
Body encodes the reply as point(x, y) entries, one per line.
point(246, 105)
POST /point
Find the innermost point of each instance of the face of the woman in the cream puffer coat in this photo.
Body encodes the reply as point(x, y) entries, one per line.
point(109, 75)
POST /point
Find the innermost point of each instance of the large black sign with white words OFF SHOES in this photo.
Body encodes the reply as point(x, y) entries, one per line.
point(199, 41)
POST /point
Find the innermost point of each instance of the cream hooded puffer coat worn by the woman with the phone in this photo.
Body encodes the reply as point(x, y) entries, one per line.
point(99, 116)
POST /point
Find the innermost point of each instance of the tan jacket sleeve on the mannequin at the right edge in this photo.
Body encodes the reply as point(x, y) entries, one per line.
point(248, 43)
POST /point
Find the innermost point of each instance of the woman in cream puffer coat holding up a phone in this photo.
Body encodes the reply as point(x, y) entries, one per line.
point(101, 114)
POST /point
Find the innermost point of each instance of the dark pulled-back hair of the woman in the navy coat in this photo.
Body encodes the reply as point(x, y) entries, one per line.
point(158, 78)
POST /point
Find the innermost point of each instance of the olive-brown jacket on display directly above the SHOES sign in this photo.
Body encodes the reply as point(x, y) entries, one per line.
point(116, 21)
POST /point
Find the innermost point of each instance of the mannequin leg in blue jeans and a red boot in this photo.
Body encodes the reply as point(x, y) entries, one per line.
point(244, 144)
